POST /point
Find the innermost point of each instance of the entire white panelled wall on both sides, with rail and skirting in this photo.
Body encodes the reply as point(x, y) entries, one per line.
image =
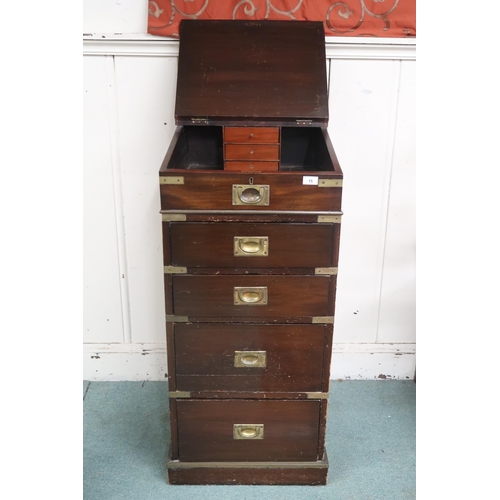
point(129, 93)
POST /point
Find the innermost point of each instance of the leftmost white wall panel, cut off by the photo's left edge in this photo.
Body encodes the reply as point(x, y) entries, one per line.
point(103, 299)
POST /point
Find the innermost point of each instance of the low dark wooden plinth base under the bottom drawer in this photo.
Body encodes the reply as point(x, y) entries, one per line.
point(277, 473)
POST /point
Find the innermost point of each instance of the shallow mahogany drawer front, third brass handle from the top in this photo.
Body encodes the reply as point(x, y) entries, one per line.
point(252, 296)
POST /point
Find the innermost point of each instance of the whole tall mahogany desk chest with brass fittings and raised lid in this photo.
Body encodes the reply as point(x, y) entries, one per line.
point(250, 201)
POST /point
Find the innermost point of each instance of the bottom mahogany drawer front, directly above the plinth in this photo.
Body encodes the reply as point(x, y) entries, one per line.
point(242, 430)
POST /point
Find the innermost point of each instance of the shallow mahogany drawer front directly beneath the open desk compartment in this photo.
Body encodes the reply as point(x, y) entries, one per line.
point(259, 245)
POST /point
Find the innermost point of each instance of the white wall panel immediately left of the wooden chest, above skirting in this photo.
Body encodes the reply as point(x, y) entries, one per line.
point(145, 90)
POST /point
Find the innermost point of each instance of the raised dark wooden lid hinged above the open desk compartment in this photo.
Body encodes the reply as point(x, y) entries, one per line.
point(262, 72)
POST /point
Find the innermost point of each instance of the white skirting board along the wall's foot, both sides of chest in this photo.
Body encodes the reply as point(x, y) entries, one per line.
point(115, 362)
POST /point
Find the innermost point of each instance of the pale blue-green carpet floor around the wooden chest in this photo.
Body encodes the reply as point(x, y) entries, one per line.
point(370, 444)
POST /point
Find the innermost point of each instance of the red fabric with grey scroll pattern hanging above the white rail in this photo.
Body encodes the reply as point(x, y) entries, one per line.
point(368, 18)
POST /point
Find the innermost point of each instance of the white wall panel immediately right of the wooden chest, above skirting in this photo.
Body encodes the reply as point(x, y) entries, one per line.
point(362, 109)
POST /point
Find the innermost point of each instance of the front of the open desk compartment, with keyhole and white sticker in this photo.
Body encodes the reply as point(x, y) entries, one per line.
point(286, 191)
